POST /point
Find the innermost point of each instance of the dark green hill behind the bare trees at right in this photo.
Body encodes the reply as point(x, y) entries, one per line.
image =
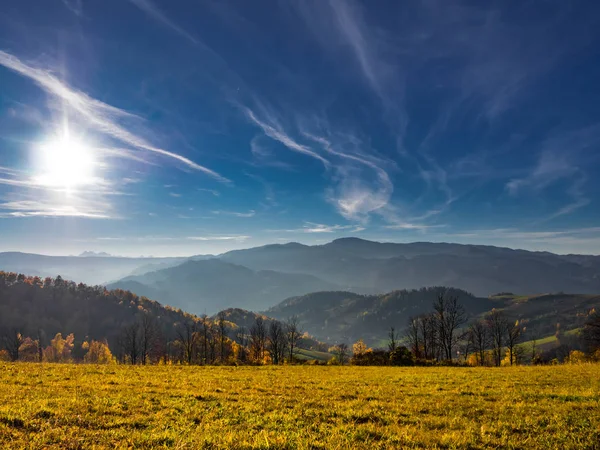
point(345, 316)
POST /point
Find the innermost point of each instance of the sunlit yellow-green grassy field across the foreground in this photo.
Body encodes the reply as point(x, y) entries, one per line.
point(79, 406)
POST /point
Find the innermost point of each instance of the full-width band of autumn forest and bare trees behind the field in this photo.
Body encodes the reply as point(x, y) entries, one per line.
point(54, 320)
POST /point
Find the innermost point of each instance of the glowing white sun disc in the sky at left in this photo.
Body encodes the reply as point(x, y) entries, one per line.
point(66, 162)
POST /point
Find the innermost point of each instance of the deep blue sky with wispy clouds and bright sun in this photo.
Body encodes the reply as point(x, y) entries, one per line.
point(147, 127)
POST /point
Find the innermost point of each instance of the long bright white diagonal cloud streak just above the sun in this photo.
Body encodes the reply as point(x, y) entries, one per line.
point(100, 116)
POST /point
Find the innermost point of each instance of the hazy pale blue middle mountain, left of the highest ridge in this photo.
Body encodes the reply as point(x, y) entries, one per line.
point(211, 285)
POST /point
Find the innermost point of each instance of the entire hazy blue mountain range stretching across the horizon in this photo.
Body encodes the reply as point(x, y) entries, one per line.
point(261, 277)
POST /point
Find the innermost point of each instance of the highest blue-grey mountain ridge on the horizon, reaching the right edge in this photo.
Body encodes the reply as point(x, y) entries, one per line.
point(379, 267)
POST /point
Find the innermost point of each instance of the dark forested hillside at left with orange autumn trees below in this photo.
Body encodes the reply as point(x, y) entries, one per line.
point(56, 320)
